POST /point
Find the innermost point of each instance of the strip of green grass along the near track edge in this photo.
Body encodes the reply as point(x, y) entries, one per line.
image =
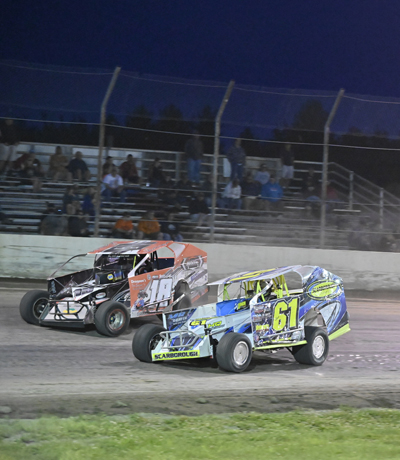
point(343, 434)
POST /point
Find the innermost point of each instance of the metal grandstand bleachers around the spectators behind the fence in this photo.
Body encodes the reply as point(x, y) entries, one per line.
point(293, 227)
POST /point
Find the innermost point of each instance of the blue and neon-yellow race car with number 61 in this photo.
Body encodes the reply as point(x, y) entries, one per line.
point(297, 307)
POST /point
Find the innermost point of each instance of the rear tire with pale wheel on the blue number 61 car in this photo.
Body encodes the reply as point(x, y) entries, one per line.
point(316, 350)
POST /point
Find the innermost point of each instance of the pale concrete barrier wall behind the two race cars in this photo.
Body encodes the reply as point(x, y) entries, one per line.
point(37, 256)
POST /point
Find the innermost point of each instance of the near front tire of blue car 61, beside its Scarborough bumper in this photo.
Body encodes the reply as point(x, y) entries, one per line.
point(234, 352)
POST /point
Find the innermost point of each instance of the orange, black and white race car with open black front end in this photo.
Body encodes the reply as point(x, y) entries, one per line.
point(127, 280)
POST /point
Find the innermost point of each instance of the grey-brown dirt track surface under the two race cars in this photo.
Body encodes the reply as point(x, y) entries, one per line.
point(64, 372)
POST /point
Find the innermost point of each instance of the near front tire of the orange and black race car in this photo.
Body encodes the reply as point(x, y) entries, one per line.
point(111, 318)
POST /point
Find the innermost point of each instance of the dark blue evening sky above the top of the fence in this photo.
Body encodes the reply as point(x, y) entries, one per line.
point(307, 44)
